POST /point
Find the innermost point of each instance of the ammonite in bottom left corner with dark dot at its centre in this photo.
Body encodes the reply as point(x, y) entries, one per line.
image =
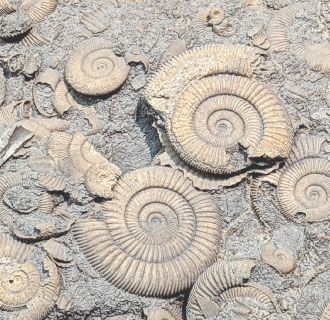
point(22, 286)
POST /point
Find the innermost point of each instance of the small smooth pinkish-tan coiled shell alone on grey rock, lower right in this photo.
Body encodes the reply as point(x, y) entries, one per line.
point(283, 261)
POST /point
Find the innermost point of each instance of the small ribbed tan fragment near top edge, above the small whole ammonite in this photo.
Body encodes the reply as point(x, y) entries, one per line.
point(96, 20)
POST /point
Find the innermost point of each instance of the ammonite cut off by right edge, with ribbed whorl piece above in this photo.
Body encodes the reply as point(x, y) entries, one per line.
point(303, 184)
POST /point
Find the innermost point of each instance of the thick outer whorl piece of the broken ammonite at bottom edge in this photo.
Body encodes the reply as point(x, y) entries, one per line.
point(214, 281)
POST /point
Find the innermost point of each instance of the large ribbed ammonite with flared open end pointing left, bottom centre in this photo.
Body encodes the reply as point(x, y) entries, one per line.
point(157, 236)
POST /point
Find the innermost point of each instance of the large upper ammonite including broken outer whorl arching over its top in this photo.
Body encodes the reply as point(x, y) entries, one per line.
point(218, 120)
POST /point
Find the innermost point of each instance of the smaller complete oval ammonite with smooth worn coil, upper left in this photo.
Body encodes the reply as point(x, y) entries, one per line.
point(94, 69)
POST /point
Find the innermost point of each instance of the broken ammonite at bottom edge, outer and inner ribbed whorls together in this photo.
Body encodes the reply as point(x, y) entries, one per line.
point(224, 282)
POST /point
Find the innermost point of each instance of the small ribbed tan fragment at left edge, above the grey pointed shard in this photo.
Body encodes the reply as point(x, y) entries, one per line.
point(14, 112)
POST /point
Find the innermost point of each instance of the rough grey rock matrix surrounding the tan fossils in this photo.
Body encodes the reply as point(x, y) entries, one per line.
point(129, 139)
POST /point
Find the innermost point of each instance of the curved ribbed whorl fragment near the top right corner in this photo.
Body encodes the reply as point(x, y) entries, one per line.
point(279, 24)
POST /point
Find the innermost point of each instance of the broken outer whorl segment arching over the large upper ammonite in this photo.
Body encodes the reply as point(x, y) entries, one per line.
point(165, 87)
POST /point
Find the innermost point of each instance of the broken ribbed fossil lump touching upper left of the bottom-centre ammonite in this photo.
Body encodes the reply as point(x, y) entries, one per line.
point(75, 156)
